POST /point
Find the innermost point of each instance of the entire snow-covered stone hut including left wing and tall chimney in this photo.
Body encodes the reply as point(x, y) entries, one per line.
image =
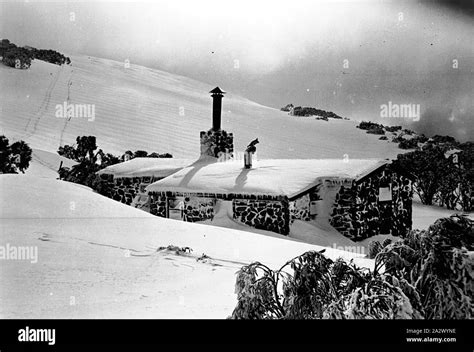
point(358, 198)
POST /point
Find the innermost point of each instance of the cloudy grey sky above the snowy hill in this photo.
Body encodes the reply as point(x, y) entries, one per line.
point(350, 57)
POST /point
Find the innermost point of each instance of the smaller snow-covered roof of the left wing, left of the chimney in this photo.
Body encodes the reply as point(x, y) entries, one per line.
point(140, 167)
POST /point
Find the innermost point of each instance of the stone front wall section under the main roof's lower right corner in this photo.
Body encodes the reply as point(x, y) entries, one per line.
point(270, 215)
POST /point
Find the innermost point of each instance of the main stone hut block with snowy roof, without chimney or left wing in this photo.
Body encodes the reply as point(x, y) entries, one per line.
point(359, 198)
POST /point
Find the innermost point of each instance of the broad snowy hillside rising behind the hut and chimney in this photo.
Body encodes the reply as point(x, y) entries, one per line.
point(142, 108)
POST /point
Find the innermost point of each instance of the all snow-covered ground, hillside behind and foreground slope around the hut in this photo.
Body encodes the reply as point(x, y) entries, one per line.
point(98, 258)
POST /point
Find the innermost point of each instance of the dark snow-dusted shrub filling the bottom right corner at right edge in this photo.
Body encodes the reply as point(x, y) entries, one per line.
point(437, 264)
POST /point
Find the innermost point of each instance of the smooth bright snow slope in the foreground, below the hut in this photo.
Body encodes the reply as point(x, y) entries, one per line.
point(98, 258)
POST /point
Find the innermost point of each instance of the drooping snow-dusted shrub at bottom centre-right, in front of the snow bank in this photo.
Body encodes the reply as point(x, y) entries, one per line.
point(318, 288)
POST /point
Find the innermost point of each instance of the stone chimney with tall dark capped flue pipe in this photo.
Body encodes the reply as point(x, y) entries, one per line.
point(216, 142)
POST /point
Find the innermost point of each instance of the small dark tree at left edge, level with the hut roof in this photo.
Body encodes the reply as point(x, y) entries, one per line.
point(14, 158)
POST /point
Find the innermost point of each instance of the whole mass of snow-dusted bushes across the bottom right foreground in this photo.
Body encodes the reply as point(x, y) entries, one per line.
point(426, 275)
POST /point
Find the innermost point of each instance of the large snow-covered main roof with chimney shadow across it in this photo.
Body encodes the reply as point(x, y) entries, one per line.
point(267, 177)
